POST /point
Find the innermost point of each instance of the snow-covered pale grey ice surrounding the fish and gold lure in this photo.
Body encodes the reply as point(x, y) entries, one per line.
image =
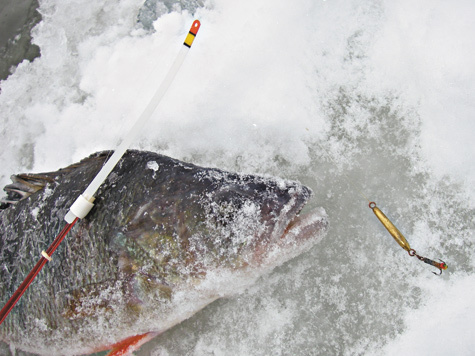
point(347, 96)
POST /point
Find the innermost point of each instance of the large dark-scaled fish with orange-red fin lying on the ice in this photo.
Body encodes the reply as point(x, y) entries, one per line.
point(164, 239)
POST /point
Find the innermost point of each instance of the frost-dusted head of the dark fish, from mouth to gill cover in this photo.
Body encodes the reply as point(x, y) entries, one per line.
point(195, 234)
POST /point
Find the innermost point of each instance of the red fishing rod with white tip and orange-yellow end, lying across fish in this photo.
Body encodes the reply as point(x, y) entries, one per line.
point(84, 203)
